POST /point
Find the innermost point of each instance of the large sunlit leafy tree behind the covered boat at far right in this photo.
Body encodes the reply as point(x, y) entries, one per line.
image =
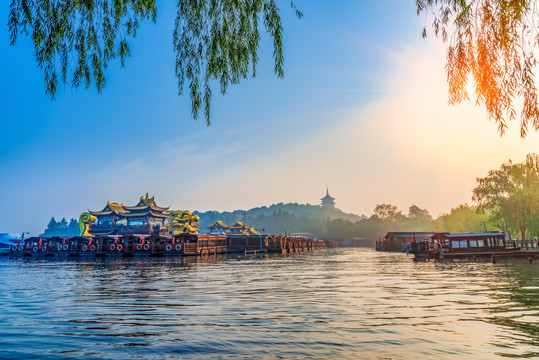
point(512, 194)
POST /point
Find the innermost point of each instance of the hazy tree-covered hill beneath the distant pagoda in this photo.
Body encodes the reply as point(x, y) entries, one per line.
point(260, 216)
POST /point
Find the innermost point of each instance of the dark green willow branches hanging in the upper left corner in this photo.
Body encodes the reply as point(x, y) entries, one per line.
point(75, 40)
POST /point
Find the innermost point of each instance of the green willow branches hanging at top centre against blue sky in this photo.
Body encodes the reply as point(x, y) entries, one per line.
point(218, 40)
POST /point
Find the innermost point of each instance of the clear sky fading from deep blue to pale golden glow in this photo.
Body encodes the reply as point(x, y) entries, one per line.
point(362, 109)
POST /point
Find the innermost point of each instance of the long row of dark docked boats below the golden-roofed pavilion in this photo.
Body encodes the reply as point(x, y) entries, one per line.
point(154, 245)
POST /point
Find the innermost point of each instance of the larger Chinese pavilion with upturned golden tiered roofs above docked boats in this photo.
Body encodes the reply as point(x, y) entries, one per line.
point(144, 218)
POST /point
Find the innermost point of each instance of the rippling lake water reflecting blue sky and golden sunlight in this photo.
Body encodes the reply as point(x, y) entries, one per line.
point(334, 303)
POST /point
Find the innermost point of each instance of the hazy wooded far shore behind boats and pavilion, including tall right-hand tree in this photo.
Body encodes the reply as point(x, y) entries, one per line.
point(506, 199)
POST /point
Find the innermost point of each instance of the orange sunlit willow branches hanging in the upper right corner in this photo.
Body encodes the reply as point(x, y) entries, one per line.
point(492, 42)
